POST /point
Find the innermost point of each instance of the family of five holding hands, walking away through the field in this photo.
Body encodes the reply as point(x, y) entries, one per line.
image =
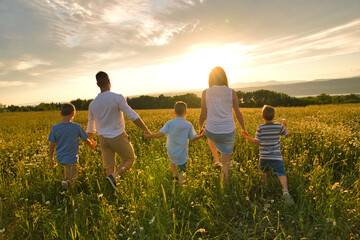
point(218, 103)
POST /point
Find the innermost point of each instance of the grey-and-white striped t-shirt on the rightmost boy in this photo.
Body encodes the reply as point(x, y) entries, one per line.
point(268, 135)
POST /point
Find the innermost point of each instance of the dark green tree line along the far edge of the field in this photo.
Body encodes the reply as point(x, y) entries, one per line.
point(246, 99)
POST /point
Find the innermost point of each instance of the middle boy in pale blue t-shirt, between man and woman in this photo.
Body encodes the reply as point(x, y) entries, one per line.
point(179, 133)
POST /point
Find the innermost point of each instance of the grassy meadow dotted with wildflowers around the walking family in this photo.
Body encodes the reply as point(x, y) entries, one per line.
point(321, 156)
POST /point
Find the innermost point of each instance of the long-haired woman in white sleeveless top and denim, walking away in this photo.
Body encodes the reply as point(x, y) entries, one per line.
point(217, 103)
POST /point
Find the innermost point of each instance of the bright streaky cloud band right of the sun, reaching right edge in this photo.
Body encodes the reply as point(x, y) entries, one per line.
point(338, 40)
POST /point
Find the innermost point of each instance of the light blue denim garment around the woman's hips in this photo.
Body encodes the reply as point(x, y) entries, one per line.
point(223, 142)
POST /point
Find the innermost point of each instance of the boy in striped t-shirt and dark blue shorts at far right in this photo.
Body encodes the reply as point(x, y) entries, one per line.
point(268, 137)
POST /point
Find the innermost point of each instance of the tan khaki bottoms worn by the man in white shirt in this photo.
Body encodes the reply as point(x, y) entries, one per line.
point(120, 145)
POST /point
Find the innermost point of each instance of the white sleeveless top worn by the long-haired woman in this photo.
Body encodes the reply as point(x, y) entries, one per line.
point(219, 104)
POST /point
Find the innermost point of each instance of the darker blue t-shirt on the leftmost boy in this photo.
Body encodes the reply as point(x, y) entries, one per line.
point(66, 136)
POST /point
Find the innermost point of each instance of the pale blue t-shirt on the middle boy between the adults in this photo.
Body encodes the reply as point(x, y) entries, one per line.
point(179, 132)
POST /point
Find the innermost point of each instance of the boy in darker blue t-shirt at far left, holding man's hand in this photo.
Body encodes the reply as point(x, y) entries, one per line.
point(65, 136)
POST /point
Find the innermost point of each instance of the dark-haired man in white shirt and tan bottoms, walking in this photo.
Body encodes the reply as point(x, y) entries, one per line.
point(106, 117)
